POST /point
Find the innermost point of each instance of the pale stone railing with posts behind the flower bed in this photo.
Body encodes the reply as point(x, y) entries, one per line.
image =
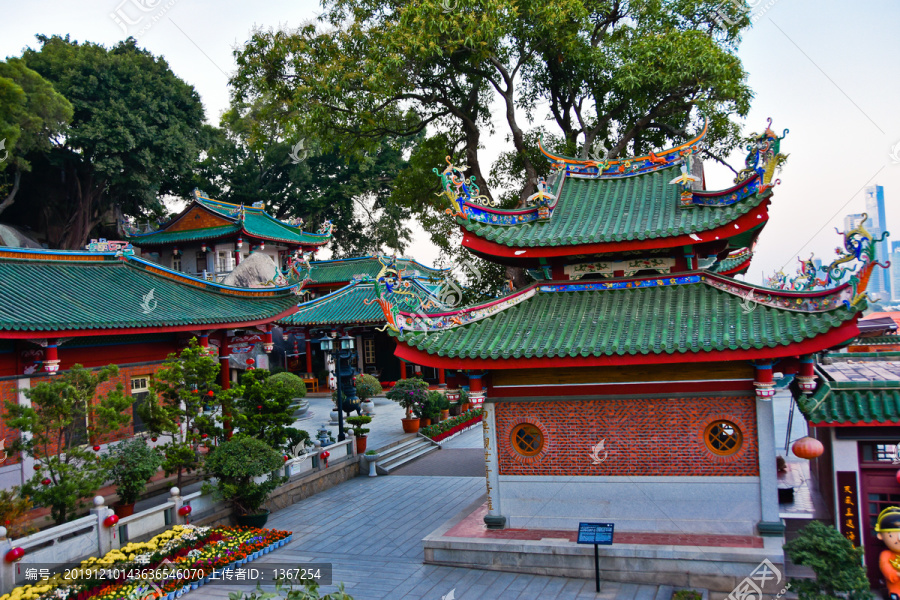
point(72, 542)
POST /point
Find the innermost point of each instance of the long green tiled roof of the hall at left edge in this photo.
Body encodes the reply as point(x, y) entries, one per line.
point(91, 293)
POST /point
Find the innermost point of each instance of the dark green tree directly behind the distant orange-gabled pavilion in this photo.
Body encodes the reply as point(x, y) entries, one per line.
point(252, 158)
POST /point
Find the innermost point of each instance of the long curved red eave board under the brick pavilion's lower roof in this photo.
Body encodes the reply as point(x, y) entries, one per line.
point(835, 337)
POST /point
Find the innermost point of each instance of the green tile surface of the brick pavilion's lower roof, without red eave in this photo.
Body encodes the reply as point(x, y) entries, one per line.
point(686, 318)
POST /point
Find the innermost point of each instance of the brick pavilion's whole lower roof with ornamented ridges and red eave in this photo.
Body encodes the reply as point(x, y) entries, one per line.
point(649, 320)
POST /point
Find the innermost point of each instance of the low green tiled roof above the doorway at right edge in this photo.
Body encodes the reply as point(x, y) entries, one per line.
point(853, 402)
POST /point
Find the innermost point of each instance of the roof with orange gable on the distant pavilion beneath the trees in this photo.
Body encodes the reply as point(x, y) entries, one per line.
point(224, 220)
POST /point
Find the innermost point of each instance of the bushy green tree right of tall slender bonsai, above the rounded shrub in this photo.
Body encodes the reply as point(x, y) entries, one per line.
point(263, 407)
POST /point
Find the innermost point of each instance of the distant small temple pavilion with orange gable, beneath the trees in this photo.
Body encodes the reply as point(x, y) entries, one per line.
point(209, 238)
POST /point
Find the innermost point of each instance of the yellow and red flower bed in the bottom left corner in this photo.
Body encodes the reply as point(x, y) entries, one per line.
point(180, 559)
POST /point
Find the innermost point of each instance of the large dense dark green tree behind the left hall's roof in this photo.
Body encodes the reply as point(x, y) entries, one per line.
point(133, 137)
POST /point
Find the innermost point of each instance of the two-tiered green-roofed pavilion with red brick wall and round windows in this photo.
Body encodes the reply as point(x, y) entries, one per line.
point(632, 383)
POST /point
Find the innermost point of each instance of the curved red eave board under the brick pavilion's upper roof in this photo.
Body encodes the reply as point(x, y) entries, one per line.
point(744, 223)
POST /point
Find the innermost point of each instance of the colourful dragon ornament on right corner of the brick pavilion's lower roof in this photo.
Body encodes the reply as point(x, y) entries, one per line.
point(859, 245)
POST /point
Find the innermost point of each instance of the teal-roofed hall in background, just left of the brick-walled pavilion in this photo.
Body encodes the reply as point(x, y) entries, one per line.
point(342, 296)
